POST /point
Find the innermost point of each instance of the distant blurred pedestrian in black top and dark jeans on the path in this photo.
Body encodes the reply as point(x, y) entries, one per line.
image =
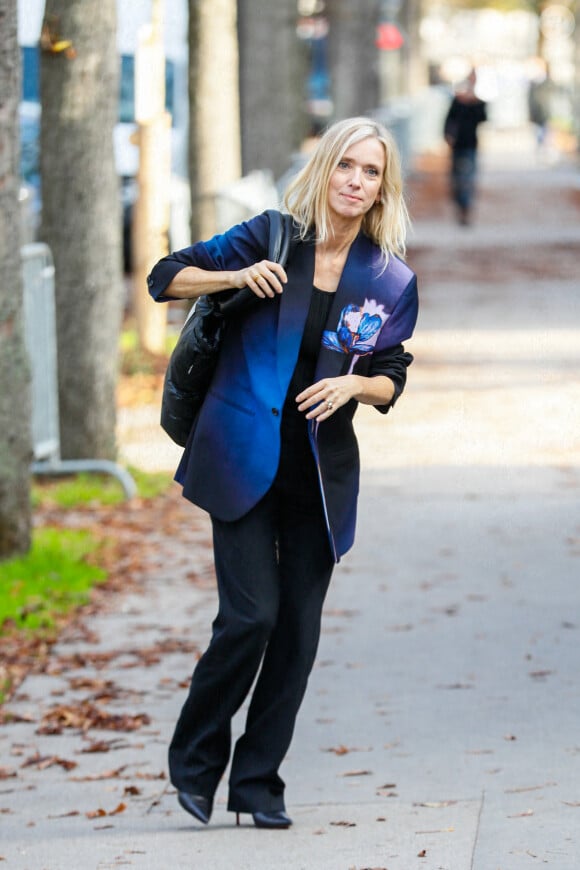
point(465, 114)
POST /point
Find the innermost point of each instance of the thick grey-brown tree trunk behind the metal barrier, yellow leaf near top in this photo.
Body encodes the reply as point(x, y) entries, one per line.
point(81, 216)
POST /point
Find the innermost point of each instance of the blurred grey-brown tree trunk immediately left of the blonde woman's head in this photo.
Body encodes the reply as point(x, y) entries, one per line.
point(272, 84)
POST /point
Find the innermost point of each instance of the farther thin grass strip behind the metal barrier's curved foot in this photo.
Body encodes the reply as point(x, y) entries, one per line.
point(88, 488)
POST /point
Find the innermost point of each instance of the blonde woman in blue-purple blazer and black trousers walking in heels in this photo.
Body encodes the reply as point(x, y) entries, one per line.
point(273, 457)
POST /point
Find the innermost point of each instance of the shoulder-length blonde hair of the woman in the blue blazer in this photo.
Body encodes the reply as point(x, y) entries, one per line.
point(306, 197)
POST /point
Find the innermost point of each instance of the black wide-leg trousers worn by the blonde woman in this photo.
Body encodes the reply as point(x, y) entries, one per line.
point(273, 569)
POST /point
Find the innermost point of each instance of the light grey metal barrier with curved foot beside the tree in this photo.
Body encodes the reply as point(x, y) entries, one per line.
point(40, 336)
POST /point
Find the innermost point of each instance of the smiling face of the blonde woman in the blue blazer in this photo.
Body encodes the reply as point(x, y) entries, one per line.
point(355, 184)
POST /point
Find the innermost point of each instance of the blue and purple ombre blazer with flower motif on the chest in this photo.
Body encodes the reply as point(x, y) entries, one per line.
point(232, 455)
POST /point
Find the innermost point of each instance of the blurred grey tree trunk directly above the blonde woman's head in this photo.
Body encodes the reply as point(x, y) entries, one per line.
point(353, 56)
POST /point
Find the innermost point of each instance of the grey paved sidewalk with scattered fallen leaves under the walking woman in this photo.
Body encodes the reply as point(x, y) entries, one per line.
point(440, 727)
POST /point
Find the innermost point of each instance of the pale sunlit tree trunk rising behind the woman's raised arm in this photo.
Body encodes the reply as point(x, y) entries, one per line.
point(214, 114)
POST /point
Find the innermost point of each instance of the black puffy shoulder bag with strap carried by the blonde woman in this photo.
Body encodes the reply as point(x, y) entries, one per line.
point(194, 358)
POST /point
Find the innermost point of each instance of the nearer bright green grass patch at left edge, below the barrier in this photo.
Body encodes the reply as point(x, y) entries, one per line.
point(53, 578)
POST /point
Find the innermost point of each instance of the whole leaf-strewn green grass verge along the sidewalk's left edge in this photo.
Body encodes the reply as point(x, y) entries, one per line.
point(40, 591)
